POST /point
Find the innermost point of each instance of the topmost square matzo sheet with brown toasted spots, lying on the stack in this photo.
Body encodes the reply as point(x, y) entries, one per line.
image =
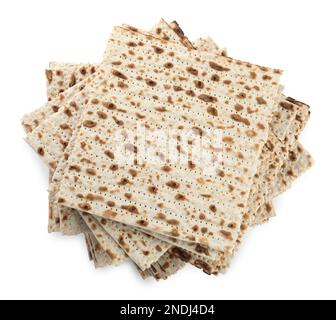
point(210, 92)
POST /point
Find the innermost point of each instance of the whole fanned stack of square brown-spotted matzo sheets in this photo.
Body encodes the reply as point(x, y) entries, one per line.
point(167, 151)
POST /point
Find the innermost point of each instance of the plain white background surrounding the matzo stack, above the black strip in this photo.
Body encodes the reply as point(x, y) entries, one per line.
point(291, 257)
